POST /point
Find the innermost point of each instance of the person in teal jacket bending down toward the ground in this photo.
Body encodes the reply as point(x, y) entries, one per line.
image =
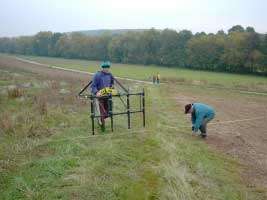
point(201, 114)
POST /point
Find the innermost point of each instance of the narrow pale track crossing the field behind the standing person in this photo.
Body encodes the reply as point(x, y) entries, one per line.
point(77, 71)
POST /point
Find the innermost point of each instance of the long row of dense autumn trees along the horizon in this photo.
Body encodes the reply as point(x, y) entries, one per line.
point(240, 50)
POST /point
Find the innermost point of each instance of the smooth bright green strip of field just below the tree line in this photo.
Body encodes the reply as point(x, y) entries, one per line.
point(174, 75)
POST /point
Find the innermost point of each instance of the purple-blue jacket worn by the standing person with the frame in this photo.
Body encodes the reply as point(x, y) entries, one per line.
point(101, 80)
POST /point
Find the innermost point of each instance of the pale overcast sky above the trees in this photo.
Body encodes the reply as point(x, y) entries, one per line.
point(27, 17)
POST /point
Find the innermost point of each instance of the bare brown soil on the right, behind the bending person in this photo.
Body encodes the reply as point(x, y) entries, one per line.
point(240, 130)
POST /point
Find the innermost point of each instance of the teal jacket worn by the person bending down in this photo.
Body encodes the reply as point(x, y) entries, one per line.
point(201, 111)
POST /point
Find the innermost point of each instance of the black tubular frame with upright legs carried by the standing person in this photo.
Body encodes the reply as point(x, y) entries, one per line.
point(110, 113)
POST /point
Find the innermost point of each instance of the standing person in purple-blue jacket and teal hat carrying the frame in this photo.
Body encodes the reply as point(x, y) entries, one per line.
point(102, 79)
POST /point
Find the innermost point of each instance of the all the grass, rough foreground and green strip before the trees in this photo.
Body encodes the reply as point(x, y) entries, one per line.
point(47, 151)
